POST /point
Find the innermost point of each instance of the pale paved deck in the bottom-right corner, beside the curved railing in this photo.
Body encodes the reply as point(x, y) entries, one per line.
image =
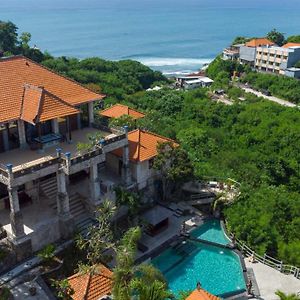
point(270, 280)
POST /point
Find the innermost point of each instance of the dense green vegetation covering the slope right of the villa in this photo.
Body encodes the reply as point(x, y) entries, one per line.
point(255, 142)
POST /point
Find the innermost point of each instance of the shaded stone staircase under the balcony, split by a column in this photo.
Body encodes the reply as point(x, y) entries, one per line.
point(81, 216)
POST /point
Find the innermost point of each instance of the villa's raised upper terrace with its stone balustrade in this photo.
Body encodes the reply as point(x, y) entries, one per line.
point(26, 161)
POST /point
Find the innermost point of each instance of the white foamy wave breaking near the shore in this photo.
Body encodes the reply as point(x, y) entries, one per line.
point(161, 62)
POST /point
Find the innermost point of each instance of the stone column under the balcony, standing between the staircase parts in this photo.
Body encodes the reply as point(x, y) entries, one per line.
point(63, 205)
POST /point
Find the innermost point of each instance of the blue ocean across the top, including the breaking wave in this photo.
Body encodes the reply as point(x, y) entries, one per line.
point(167, 35)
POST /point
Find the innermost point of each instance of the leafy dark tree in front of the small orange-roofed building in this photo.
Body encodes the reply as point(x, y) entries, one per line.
point(173, 164)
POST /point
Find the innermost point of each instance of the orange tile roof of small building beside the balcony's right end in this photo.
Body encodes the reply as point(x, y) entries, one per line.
point(142, 145)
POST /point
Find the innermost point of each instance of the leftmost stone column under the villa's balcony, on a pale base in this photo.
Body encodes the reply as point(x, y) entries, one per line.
point(16, 218)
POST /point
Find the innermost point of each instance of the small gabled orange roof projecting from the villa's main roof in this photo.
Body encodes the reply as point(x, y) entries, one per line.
point(38, 105)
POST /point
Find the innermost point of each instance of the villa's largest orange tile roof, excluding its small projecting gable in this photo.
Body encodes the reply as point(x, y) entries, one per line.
point(17, 71)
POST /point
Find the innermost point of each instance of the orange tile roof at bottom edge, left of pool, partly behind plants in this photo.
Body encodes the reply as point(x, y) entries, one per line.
point(93, 285)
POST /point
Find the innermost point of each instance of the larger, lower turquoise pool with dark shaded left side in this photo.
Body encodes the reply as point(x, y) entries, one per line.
point(218, 269)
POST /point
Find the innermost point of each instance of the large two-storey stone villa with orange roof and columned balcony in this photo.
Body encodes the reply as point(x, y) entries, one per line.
point(47, 187)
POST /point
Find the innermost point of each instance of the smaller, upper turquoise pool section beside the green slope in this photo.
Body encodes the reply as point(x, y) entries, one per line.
point(211, 231)
